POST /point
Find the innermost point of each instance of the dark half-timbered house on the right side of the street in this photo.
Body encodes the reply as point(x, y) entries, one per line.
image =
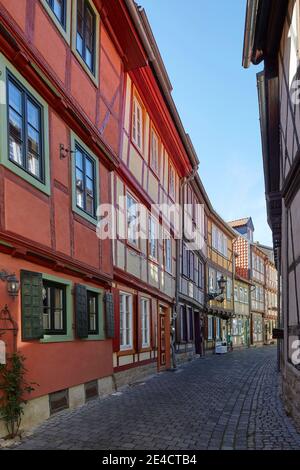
point(272, 36)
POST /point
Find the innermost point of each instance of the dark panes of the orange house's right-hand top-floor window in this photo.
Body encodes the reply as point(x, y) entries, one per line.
point(86, 33)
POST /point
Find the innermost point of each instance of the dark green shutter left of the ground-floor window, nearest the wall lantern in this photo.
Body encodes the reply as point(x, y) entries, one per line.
point(32, 305)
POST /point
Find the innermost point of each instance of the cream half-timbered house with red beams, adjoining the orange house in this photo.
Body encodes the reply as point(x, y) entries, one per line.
point(155, 155)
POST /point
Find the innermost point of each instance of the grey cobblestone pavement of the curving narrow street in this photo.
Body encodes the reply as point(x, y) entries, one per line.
point(219, 402)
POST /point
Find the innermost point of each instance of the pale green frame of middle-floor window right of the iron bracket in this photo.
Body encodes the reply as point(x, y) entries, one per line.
point(75, 140)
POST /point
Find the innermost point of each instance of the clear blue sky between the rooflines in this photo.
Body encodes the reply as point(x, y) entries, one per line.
point(201, 44)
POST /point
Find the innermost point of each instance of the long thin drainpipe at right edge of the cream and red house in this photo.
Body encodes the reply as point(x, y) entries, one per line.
point(183, 184)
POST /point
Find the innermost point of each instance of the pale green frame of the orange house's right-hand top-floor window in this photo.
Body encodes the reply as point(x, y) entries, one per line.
point(94, 76)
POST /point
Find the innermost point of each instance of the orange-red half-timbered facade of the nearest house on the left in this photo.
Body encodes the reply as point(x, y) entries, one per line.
point(39, 229)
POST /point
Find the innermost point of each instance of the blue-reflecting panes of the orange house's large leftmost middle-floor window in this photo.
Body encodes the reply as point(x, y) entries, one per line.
point(25, 129)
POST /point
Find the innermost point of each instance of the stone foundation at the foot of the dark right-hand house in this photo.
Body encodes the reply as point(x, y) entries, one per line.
point(291, 393)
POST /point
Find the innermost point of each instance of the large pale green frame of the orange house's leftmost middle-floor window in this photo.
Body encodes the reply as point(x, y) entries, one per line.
point(6, 70)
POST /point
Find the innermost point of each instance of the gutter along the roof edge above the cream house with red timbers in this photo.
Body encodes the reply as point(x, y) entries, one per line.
point(162, 78)
